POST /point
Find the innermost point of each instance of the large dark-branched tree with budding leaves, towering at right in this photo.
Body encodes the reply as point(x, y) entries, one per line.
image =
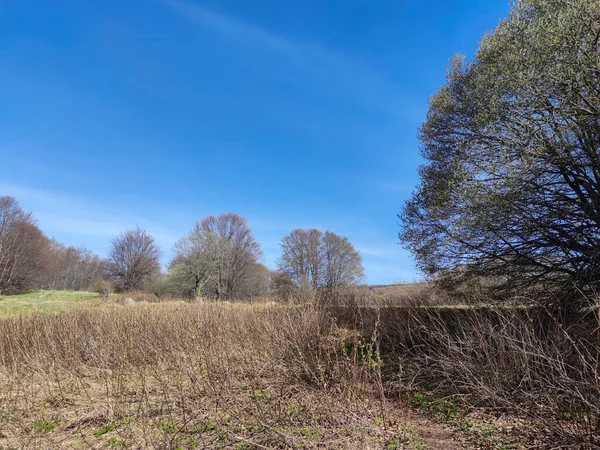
point(511, 187)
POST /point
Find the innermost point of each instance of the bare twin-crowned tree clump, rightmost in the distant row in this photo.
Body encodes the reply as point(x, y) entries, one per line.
point(312, 260)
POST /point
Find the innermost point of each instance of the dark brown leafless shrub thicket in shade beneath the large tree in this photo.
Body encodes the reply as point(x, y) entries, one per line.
point(521, 361)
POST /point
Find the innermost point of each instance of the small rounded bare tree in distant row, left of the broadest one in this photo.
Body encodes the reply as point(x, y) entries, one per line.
point(134, 260)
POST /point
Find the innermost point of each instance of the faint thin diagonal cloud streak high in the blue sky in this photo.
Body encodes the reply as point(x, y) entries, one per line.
point(356, 81)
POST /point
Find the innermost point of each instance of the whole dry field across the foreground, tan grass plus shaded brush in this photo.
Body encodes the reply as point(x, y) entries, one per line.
point(244, 375)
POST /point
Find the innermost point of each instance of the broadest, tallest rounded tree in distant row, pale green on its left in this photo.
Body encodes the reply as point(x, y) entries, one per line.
point(218, 259)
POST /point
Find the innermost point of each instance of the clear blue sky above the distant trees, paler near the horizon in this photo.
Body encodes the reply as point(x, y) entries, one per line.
point(295, 113)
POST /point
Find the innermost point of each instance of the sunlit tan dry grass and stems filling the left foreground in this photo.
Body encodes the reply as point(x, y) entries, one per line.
point(181, 375)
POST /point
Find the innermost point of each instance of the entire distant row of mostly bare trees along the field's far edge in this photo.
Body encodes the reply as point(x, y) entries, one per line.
point(219, 259)
